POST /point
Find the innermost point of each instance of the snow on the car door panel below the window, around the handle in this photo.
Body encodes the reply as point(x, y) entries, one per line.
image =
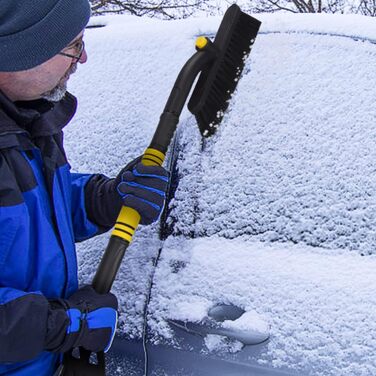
point(319, 303)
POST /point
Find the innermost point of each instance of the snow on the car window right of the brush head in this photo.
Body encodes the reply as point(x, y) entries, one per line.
point(294, 158)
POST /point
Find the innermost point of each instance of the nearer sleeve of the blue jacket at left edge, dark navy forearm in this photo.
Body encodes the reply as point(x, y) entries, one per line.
point(23, 315)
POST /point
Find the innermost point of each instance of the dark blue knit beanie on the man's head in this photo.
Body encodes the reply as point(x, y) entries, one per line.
point(33, 31)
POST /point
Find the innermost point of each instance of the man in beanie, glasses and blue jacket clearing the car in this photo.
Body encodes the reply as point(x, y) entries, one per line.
point(44, 208)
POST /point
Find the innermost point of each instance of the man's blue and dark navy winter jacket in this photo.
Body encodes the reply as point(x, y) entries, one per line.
point(43, 212)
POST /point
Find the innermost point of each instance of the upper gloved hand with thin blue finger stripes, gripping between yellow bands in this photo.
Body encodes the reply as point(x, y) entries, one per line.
point(143, 188)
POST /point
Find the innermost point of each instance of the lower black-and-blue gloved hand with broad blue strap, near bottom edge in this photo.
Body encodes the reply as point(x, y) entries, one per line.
point(87, 319)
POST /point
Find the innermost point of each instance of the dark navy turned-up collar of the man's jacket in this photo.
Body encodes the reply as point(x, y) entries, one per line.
point(36, 118)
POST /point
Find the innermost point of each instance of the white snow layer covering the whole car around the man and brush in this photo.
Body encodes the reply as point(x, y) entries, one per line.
point(280, 203)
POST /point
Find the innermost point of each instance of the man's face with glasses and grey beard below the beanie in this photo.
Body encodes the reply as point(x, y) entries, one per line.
point(48, 80)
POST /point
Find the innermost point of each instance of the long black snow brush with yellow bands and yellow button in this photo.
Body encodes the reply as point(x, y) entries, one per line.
point(220, 63)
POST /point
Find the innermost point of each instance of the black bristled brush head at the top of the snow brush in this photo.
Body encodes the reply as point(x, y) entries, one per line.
point(217, 82)
